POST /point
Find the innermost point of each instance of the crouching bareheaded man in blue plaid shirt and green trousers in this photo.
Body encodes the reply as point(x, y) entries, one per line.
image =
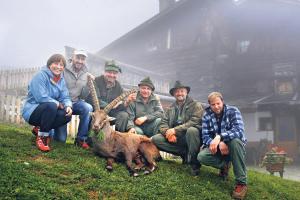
point(224, 141)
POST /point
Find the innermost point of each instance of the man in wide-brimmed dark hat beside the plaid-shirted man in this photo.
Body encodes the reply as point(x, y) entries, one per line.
point(180, 128)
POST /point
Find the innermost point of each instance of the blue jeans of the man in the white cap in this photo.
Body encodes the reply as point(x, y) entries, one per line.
point(82, 109)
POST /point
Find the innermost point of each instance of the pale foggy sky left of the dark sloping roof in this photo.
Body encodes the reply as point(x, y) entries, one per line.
point(32, 30)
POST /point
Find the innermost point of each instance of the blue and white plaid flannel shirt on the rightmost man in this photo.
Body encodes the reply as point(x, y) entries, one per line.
point(232, 125)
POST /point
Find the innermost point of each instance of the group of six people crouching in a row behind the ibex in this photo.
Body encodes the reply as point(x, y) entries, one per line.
point(213, 136)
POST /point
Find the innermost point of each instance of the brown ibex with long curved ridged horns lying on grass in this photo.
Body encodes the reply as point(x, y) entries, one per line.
point(115, 144)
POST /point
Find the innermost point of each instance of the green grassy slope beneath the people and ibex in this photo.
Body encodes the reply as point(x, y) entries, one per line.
point(68, 172)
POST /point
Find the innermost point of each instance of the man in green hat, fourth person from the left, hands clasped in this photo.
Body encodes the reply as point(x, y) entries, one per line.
point(146, 111)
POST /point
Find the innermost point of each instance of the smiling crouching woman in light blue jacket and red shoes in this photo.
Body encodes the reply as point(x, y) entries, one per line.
point(48, 104)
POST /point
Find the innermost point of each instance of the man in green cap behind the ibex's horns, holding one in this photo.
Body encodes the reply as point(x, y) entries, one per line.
point(108, 88)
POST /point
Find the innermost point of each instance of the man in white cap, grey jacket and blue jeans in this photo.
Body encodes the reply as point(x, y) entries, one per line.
point(76, 79)
